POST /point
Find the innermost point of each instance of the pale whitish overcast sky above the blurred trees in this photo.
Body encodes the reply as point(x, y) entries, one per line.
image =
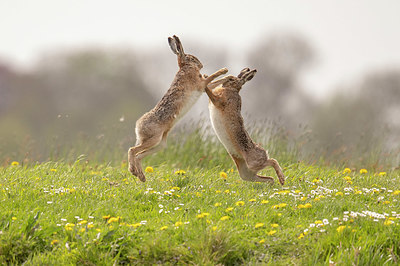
point(351, 38)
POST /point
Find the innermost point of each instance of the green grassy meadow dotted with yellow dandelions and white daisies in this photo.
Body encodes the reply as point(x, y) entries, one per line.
point(194, 209)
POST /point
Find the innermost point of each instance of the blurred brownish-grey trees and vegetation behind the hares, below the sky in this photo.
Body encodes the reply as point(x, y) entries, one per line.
point(87, 101)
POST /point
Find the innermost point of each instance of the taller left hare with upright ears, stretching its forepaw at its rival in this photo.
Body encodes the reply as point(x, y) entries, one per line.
point(153, 127)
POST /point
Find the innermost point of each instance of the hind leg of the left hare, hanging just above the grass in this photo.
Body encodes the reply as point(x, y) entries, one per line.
point(144, 145)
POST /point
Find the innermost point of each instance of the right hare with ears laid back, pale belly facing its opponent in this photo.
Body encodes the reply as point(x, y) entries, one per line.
point(226, 119)
